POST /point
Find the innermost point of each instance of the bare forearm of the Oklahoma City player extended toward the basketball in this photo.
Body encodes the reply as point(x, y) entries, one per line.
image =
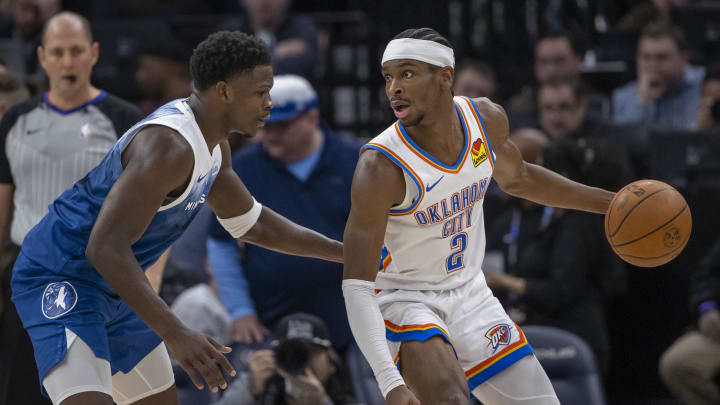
point(549, 188)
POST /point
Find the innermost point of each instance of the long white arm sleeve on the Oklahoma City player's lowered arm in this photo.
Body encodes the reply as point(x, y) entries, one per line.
point(368, 328)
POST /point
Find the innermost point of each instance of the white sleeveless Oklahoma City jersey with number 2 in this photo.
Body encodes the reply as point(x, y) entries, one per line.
point(435, 239)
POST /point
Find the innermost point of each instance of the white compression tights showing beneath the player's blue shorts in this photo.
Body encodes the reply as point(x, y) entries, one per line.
point(81, 371)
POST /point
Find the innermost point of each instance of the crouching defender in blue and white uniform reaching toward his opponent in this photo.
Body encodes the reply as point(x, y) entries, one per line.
point(96, 324)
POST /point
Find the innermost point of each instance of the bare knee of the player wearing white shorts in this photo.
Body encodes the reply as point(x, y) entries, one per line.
point(432, 372)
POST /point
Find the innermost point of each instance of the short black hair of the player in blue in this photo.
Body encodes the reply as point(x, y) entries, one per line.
point(225, 54)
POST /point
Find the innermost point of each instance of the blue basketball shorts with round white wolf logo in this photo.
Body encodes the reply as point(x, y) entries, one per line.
point(48, 303)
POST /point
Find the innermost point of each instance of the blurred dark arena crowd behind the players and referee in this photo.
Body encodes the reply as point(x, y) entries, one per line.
point(603, 91)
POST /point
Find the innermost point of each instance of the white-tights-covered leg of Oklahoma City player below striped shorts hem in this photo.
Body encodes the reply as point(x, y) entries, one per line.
point(523, 383)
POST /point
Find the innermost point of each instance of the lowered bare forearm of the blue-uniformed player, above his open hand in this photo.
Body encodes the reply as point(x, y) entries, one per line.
point(118, 266)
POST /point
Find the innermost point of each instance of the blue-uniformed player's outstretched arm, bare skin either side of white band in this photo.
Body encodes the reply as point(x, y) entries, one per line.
point(230, 199)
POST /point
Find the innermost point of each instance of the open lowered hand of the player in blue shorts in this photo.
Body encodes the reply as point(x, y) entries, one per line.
point(199, 354)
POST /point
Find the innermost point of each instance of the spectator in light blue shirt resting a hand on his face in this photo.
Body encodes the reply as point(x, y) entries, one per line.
point(667, 90)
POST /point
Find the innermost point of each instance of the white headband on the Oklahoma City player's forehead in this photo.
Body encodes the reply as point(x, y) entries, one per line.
point(419, 49)
